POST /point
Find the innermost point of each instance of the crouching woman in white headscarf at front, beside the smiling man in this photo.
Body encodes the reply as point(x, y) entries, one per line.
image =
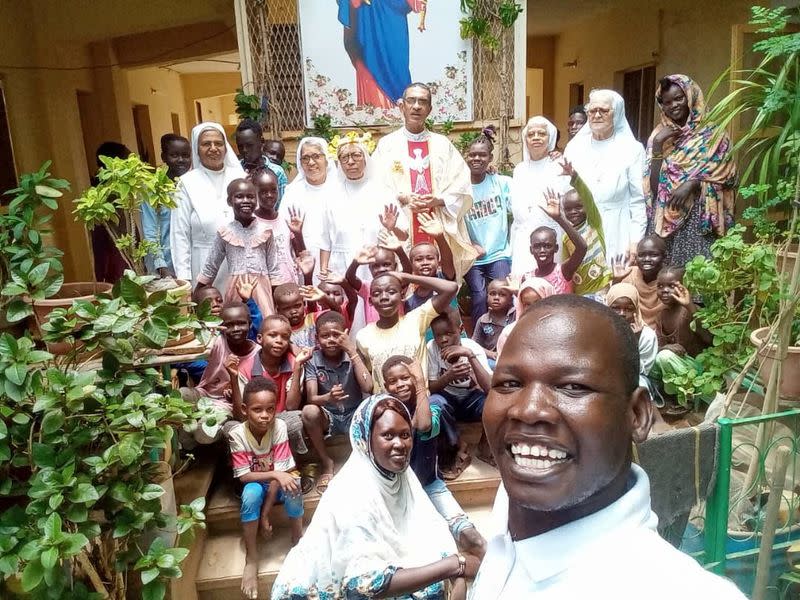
point(375, 533)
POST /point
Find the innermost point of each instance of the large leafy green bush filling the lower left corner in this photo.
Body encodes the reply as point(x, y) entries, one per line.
point(82, 438)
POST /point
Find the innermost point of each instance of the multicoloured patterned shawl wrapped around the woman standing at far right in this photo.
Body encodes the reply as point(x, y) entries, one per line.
point(700, 153)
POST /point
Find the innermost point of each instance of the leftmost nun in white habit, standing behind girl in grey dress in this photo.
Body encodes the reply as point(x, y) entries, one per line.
point(202, 206)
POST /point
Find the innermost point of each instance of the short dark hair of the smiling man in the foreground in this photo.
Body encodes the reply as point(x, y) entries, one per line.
point(626, 340)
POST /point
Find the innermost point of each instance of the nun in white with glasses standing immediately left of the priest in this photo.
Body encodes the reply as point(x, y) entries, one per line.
point(310, 193)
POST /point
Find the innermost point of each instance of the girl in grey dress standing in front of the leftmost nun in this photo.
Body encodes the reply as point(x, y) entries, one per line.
point(247, 244)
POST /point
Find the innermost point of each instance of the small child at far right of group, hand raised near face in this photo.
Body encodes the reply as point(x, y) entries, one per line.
point(678, 344)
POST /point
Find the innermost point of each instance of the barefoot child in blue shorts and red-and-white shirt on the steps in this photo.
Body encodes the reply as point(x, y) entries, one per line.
point(264, 466)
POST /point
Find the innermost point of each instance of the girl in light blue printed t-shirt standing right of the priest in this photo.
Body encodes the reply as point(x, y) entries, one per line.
point(487, 222)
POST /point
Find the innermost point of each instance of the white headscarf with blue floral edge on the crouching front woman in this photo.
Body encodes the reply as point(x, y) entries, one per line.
point(369, 523)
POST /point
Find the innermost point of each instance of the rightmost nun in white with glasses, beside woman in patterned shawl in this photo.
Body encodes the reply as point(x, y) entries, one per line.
point(612, 163)
